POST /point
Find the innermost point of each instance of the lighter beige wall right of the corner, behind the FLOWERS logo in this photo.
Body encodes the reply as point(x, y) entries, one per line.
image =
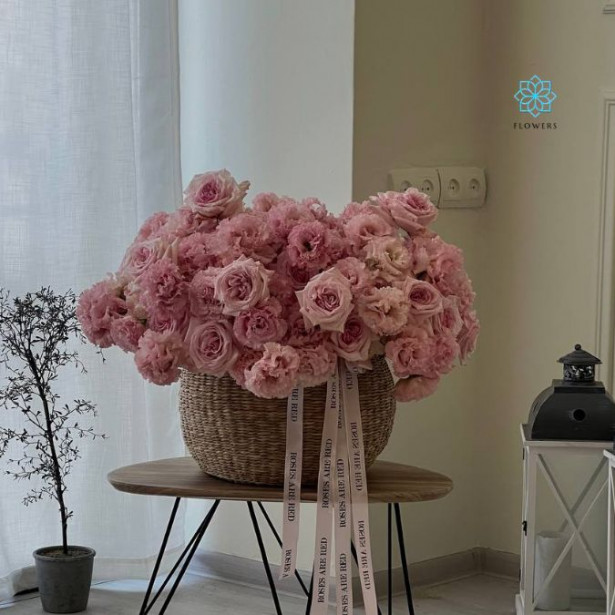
point(540, 227)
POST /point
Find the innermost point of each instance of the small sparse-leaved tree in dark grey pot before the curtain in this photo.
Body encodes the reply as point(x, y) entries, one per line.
point(35, 333)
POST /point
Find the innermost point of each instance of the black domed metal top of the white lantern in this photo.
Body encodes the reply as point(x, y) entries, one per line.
point(575, 408)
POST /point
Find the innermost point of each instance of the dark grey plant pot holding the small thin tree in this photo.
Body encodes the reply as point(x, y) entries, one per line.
point(64, 580)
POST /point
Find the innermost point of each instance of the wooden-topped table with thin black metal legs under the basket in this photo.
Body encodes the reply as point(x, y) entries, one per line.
point(390, 483)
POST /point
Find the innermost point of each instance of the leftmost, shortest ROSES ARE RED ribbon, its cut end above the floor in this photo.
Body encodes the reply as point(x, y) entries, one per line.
point(292, 482)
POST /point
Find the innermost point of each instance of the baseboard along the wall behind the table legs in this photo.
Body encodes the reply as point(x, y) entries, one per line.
point(244, 571)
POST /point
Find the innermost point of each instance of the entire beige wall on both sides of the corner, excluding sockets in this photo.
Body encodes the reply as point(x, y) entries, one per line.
point(434, 83)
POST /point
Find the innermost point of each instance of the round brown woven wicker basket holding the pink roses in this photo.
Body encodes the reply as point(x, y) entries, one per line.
point(239, 437)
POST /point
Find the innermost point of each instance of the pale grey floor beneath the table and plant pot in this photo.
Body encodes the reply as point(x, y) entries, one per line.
point(479, 595)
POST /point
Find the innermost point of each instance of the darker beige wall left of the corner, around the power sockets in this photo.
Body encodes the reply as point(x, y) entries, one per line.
point(418, 98)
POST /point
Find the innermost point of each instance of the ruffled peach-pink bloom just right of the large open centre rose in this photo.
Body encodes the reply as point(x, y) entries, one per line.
point(384, 310)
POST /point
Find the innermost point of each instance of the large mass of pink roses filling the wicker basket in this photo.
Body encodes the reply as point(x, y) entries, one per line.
point(275, 294)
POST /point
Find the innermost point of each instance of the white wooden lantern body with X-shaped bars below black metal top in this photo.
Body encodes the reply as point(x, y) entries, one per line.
point(564, 529)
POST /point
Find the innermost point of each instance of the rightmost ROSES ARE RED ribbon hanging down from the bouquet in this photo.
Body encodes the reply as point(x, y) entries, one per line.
point(358, 487)
